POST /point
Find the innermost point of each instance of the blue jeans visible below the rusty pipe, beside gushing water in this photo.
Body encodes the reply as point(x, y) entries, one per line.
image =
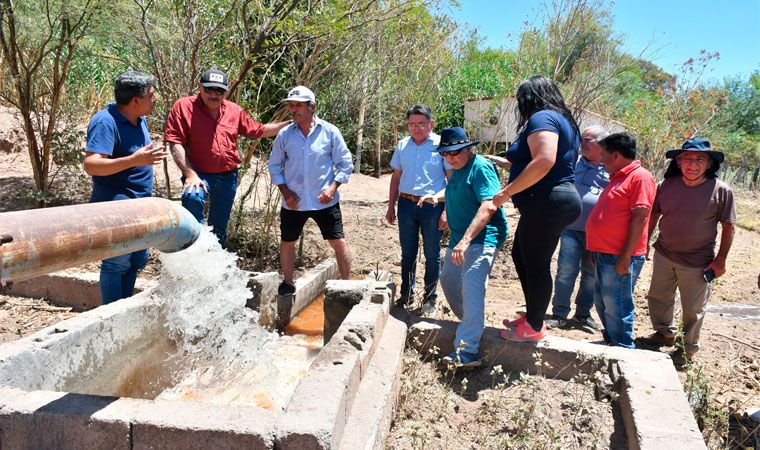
point(118, 275)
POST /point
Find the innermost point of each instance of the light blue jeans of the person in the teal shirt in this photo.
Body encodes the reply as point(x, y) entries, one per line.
point(465, 289)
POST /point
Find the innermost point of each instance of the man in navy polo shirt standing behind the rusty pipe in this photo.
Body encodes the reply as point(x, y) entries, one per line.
point(120, 158)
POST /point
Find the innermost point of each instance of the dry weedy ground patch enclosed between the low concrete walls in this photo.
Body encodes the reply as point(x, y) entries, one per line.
point(488, 407)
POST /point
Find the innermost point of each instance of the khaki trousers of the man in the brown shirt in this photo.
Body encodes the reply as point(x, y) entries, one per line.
point(694, 291)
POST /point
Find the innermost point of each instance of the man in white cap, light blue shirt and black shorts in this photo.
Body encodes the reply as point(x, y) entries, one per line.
point(309, 160)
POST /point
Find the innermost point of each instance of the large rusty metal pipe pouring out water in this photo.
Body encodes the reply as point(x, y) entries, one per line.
point(40, 241)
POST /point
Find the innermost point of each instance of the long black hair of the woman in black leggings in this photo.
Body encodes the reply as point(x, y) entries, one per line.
point(536, 94)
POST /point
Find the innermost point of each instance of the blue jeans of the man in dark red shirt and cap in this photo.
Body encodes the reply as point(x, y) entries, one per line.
point(221, 190)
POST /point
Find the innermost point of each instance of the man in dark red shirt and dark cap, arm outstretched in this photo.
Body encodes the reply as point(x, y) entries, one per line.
point(202, 132)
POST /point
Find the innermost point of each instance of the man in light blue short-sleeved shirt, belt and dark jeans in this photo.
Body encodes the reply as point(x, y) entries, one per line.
point(418, 170)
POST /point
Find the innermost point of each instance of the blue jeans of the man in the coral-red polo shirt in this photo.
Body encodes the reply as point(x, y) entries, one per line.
point(613, 298)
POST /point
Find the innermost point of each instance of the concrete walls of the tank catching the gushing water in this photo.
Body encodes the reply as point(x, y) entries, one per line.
point(50, 395)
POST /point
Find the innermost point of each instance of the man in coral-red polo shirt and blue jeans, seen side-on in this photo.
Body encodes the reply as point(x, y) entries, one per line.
point(616, 233)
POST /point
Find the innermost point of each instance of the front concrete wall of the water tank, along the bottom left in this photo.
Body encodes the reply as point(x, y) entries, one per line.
point(57, 420)
